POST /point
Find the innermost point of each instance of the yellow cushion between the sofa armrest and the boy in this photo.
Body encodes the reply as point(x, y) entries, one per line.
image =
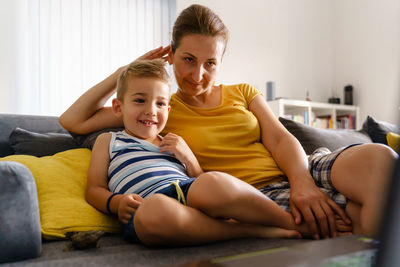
point(61, 183)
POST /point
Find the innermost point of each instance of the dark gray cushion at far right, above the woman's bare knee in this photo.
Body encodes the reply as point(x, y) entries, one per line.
point(378, 130)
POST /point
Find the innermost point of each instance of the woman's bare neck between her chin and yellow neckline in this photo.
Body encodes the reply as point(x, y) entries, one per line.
point(208, 99)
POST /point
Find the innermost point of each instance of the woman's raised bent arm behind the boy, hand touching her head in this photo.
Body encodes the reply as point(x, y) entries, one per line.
point(88, 113)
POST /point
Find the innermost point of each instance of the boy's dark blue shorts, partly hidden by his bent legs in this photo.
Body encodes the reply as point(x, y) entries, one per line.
point(128, 230)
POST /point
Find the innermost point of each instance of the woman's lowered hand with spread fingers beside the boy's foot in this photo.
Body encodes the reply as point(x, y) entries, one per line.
point(317, 209)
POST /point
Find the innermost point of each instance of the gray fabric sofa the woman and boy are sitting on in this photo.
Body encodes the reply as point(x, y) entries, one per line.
point(21, 242)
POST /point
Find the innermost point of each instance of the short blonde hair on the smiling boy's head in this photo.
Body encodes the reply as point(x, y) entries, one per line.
point(141, 69)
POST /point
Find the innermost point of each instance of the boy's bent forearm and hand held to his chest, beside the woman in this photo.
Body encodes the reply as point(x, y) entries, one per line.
point(175, 144)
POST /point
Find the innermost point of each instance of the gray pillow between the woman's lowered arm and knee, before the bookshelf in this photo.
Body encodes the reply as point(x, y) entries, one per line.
point(312, 138)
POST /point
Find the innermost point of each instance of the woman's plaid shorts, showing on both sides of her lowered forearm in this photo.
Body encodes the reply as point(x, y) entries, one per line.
point(320, 164)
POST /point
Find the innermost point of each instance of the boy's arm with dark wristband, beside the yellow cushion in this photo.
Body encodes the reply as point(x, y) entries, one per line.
point(97, 192)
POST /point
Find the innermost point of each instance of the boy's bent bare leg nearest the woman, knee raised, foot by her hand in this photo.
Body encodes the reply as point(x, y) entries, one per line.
point(223, 196)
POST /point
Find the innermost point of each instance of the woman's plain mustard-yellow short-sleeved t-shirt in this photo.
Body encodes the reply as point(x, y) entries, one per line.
point(226, 138)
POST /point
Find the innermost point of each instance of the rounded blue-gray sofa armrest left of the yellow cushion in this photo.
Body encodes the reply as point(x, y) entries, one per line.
point(19, 213)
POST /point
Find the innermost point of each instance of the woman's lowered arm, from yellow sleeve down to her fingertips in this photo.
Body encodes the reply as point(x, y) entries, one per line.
point(306, 199)
